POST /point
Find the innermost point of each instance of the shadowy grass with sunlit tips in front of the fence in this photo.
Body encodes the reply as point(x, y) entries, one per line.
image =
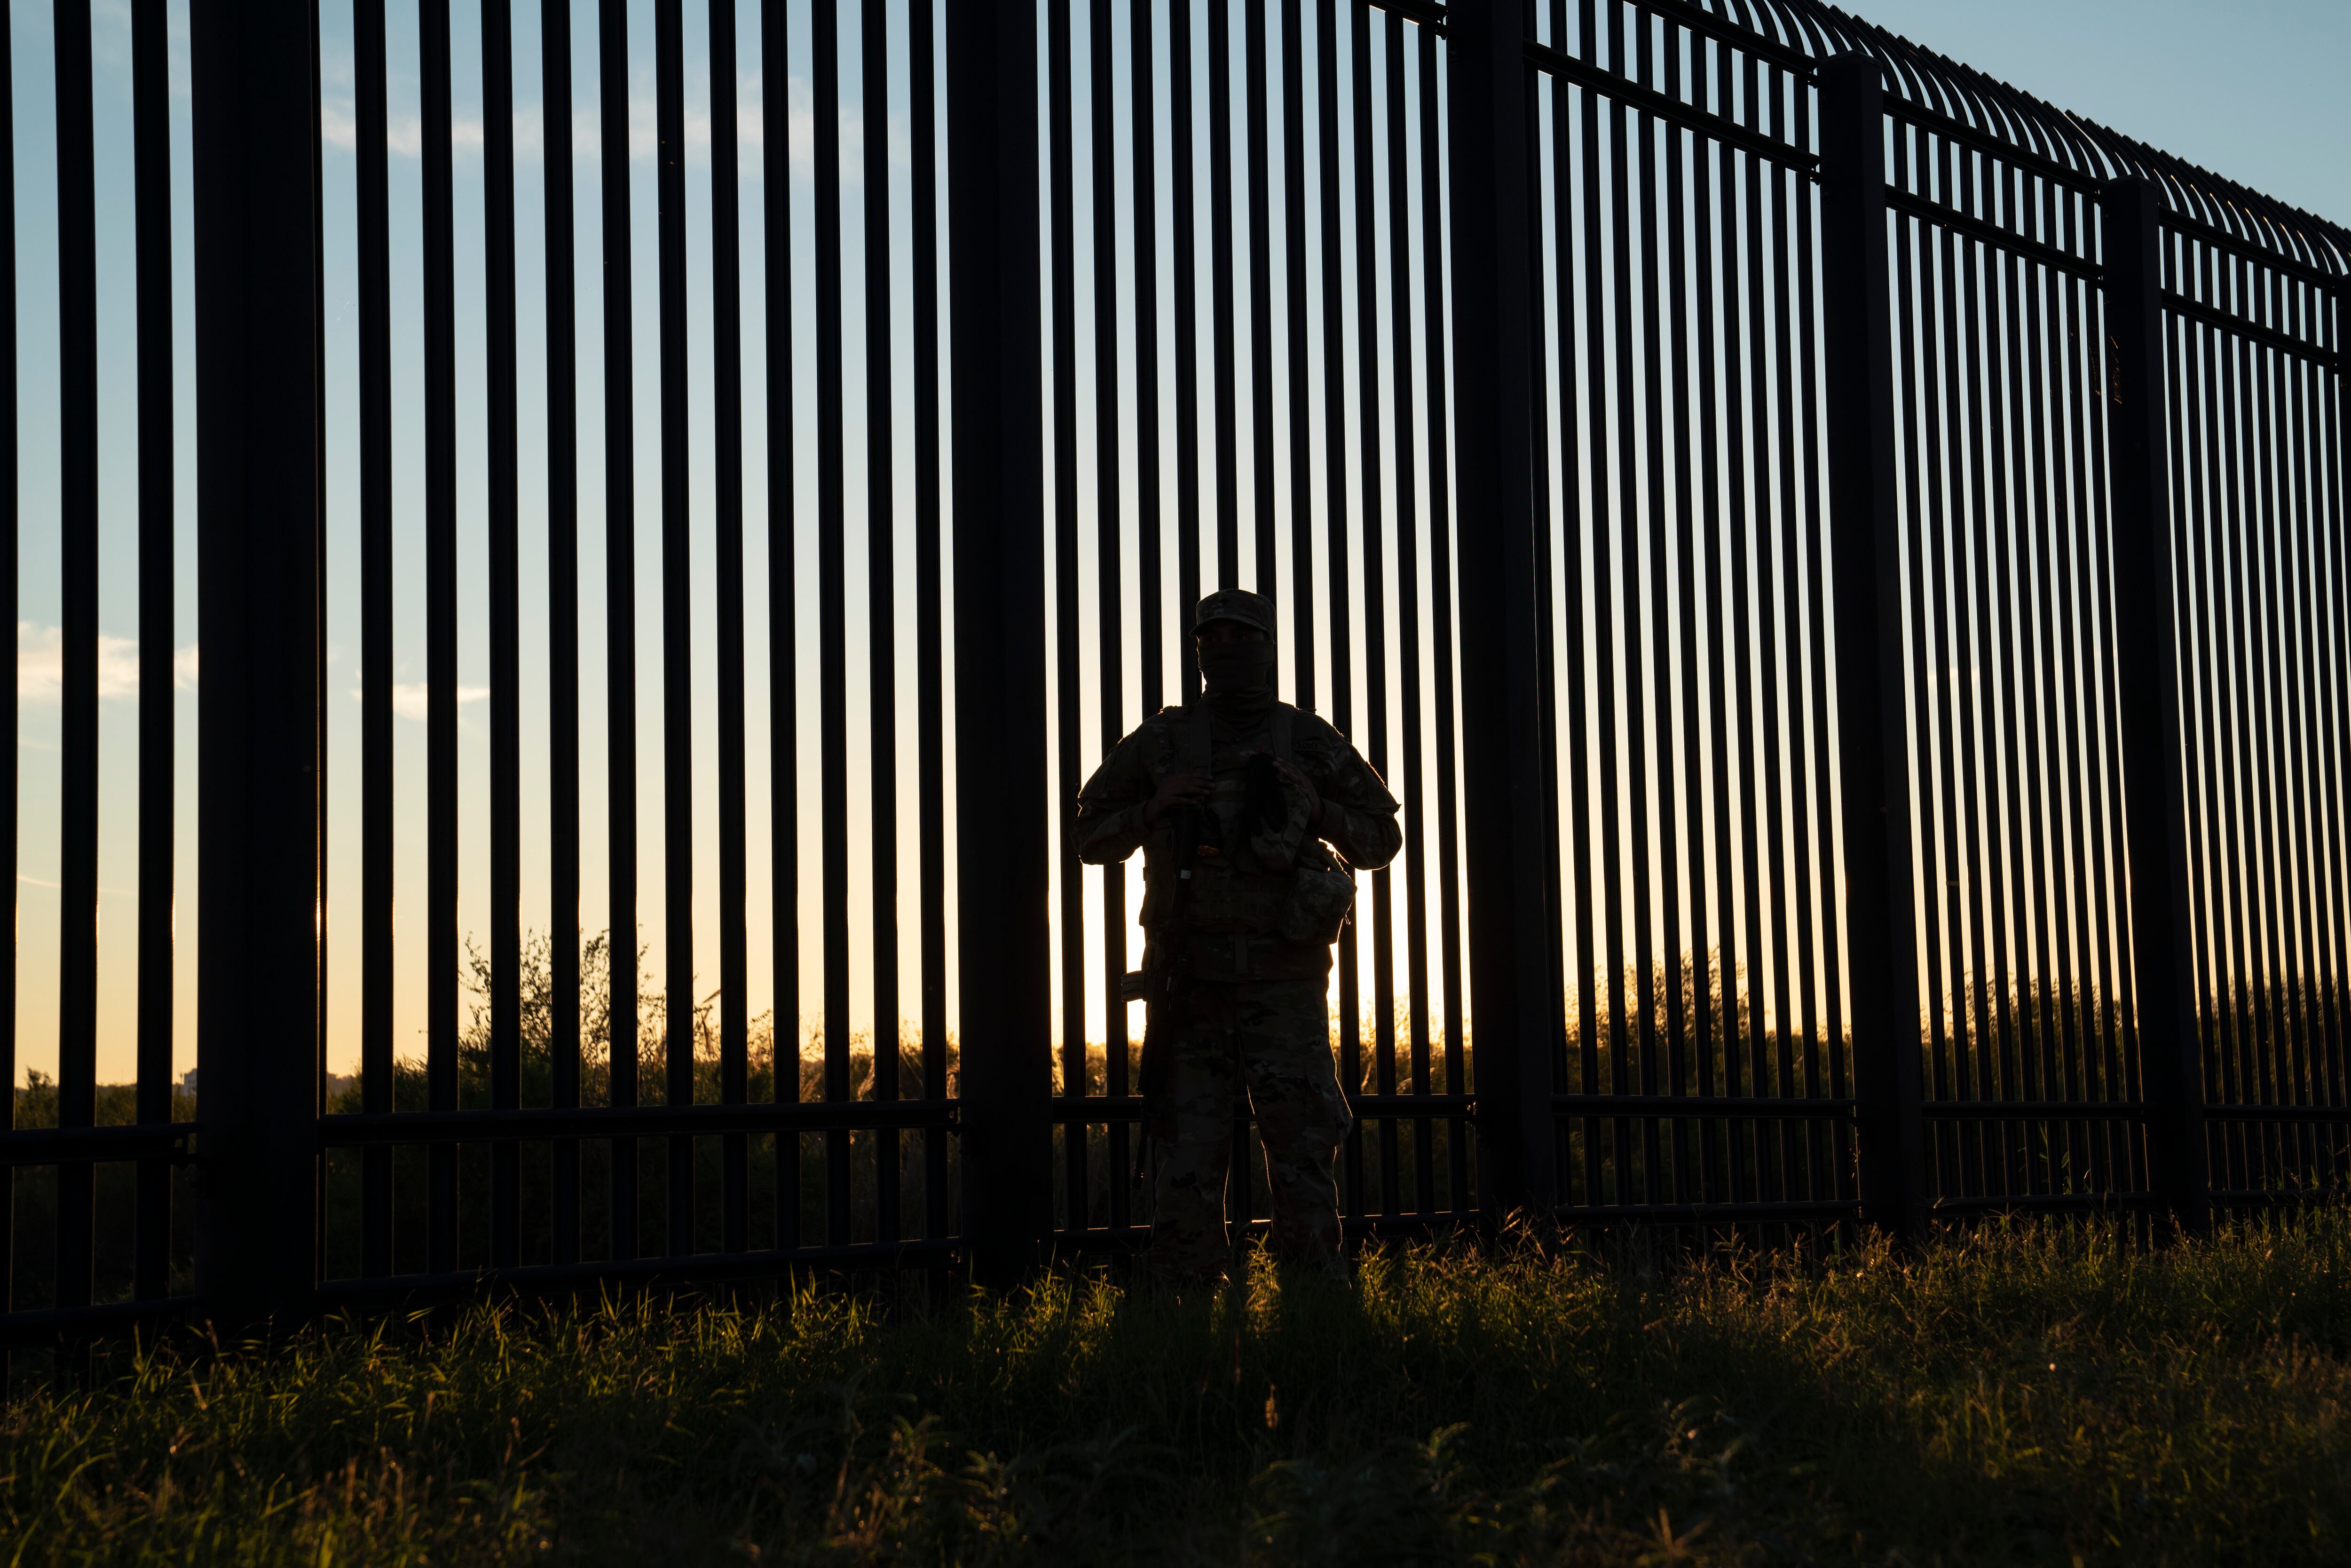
point(2025, 1395)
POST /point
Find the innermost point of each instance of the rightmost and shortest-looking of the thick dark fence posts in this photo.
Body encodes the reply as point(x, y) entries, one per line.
point(2148, 704)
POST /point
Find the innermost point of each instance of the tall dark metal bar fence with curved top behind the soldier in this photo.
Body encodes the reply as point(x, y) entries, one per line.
point(1842, 563)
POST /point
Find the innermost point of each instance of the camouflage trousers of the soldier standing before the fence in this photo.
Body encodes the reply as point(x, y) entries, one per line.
point(1285, 1043)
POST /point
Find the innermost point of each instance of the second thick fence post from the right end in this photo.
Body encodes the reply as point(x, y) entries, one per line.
point(1873, 728)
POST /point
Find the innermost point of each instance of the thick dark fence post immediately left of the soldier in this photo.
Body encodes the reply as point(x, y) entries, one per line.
point(1000, 721)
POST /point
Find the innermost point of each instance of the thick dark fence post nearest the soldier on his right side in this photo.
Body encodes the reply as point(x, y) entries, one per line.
point(1513, 974)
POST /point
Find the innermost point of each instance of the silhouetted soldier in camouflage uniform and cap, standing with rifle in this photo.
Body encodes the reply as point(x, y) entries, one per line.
point(1252, 819)
